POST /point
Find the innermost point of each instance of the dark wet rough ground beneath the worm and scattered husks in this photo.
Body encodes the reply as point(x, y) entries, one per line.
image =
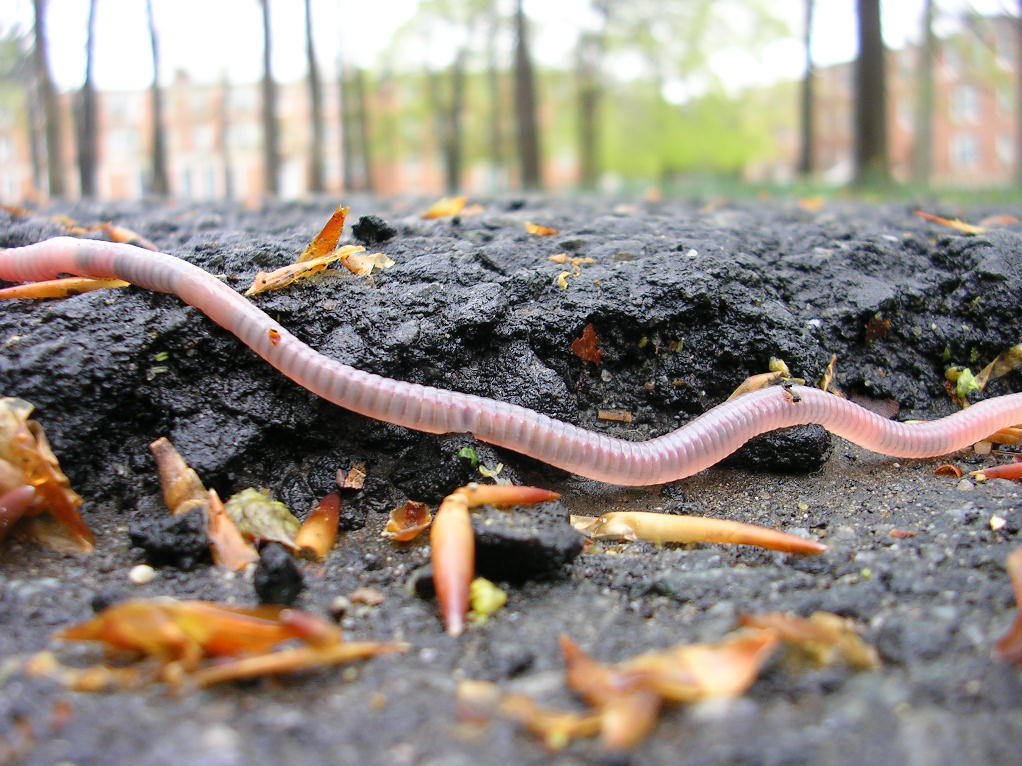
point(686, 302)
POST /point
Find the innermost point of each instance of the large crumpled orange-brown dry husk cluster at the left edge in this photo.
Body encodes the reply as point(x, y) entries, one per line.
point(26, 460)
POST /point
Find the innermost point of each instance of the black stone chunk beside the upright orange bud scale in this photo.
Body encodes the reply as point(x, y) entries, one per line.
point(519, 545)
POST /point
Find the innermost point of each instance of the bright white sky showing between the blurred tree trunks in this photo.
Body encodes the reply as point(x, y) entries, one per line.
point(202, 37)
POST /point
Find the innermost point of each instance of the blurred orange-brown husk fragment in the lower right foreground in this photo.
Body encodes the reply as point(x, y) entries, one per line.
point(824, 638)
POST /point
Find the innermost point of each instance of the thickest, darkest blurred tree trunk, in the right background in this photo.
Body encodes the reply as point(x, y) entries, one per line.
point(871, 100)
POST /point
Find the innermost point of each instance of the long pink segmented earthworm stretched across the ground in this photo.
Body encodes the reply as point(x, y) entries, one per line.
point(701, 444)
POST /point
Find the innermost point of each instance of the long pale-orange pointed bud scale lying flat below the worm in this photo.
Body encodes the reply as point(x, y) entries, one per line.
point(662, 529)
